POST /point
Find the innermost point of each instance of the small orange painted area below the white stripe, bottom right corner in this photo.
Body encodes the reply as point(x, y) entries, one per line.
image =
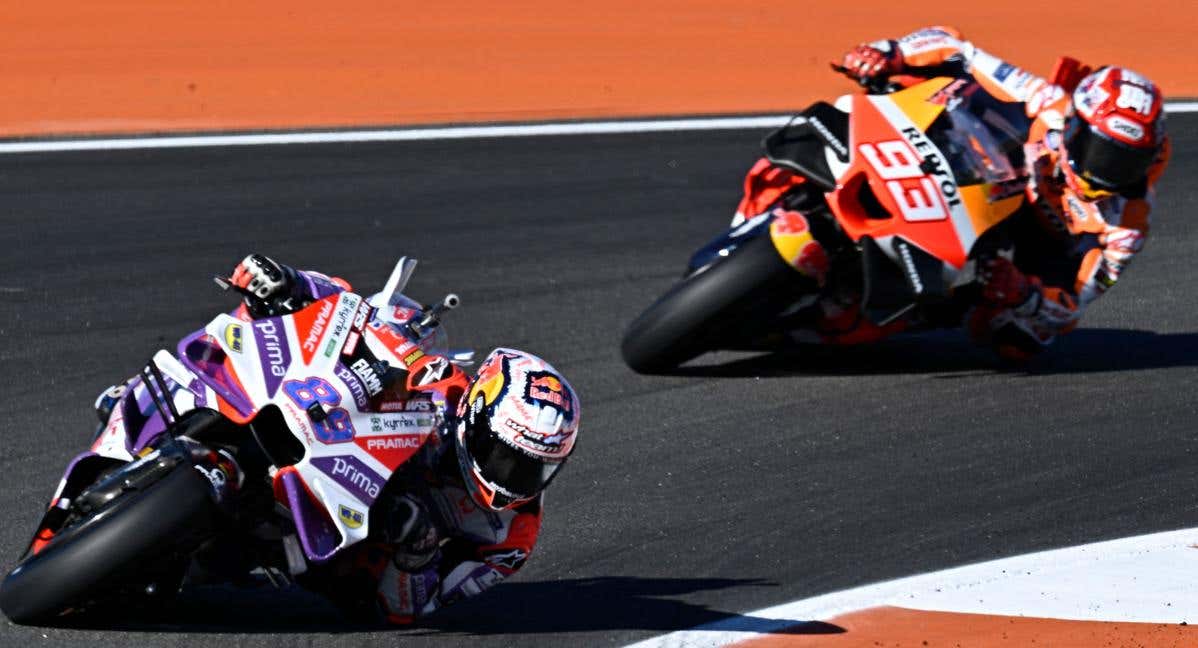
point(901, 628)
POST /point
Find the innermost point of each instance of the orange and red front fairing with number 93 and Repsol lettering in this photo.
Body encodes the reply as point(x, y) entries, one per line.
point(900, 183)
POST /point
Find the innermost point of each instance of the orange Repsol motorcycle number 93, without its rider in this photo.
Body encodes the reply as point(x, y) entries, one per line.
point(864, 219)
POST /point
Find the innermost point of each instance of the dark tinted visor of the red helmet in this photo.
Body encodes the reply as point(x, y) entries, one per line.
point(1102, 161)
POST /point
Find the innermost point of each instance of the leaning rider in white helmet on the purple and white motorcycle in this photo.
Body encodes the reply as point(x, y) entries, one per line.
point(462, 516)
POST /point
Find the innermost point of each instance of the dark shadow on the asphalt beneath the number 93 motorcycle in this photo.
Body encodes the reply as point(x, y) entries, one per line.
point(1088, 350)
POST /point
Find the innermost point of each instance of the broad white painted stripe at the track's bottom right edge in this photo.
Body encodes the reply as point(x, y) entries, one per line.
point(1147, 579)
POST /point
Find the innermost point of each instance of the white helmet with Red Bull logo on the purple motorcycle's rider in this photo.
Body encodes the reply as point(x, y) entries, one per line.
point(518, 425)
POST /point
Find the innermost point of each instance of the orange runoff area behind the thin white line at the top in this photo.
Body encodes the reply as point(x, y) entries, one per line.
point(152, 66)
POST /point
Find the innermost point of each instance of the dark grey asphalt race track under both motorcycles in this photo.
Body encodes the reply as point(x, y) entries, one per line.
point(749, 482)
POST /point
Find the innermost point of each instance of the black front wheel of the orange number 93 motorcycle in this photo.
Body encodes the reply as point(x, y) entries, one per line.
point(734, 296)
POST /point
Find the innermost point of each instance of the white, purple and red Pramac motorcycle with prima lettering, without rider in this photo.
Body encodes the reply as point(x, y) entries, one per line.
point(261, 440)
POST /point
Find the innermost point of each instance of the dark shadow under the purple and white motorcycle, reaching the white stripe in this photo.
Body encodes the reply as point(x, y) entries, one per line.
point(579, 605)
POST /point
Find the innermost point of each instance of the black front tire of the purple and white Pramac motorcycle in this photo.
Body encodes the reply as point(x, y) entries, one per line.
point(173, 514)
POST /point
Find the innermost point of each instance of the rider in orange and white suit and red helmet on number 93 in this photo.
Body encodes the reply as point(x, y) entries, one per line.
point(1094, 150)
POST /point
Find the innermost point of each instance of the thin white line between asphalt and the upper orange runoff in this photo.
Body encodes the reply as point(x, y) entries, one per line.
point(422, 135)
